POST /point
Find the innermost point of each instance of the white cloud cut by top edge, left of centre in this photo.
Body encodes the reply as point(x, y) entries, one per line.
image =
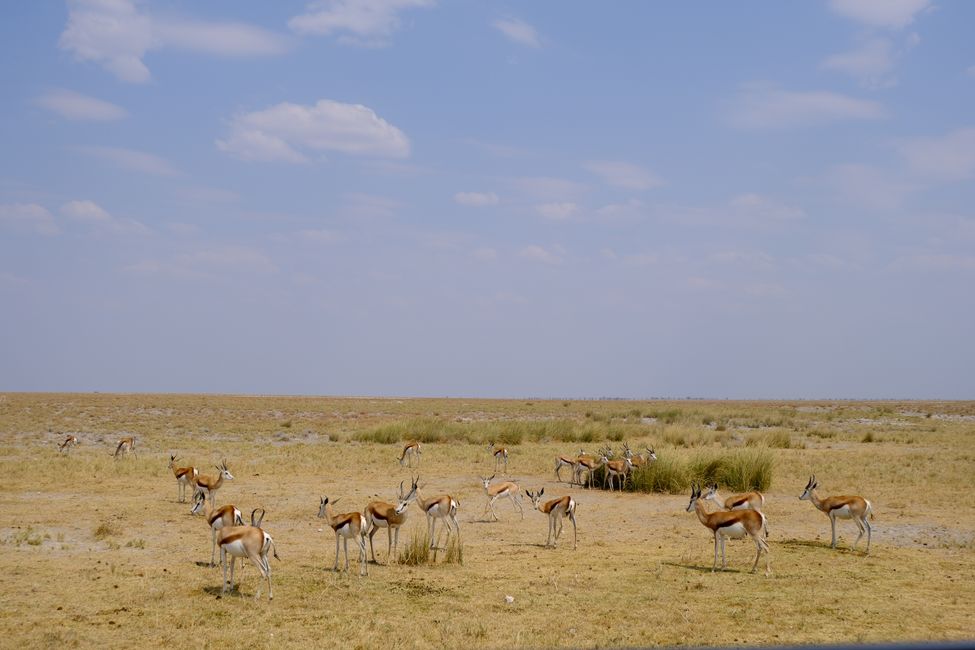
point(359, 22)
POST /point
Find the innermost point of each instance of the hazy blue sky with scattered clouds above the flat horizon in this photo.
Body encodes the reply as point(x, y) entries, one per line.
point(411, 197)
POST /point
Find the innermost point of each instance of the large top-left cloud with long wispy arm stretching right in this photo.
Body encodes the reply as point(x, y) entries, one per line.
point(116, 35)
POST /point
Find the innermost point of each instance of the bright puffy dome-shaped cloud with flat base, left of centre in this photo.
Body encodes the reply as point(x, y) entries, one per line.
point(279, 133)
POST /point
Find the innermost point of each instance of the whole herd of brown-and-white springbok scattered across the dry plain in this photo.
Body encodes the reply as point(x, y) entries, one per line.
point(737, 516)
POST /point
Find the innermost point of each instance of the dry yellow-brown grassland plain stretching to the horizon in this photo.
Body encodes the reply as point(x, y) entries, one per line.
point(99, 552)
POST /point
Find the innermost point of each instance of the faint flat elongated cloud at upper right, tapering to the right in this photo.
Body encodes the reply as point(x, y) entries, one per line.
point(764, 107)
